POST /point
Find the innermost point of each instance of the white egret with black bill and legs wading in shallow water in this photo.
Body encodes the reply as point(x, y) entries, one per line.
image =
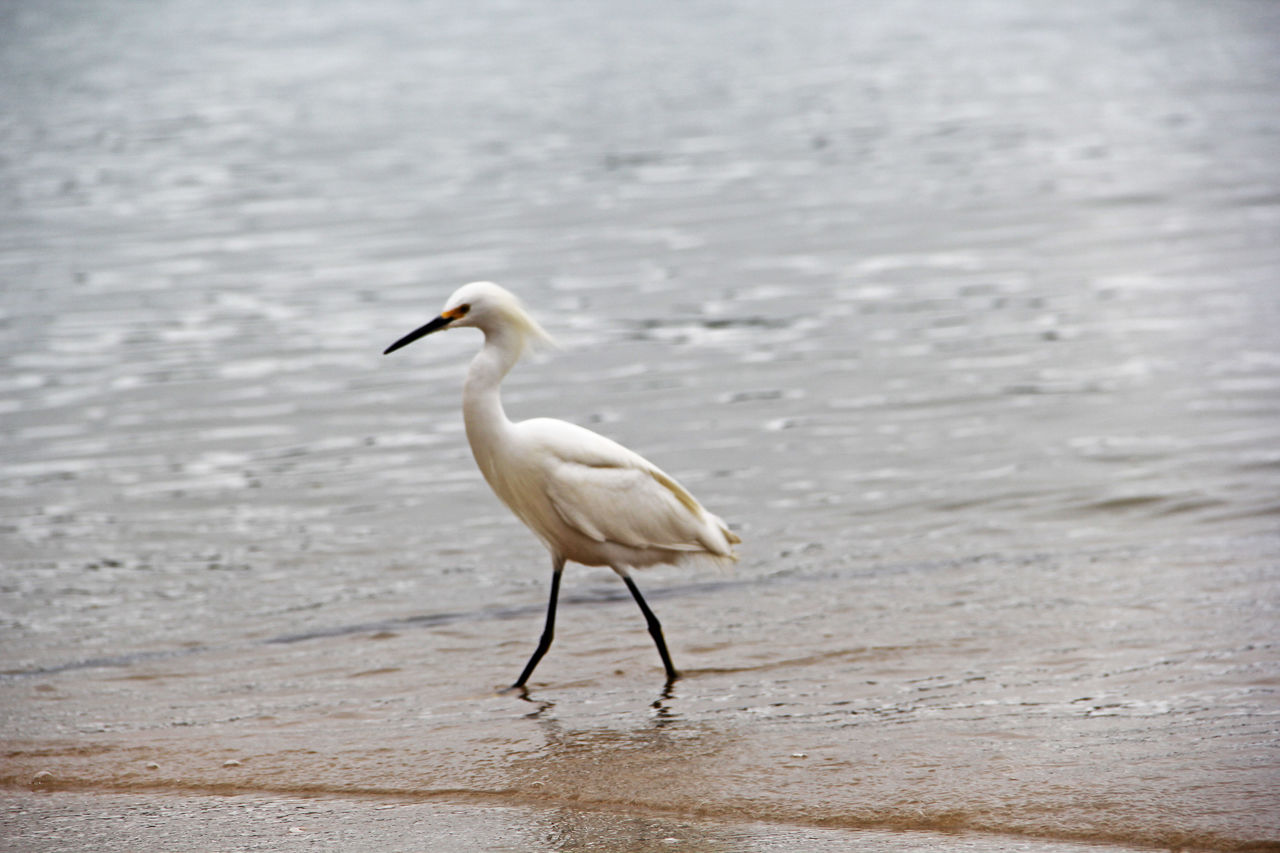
point(588, 499)
